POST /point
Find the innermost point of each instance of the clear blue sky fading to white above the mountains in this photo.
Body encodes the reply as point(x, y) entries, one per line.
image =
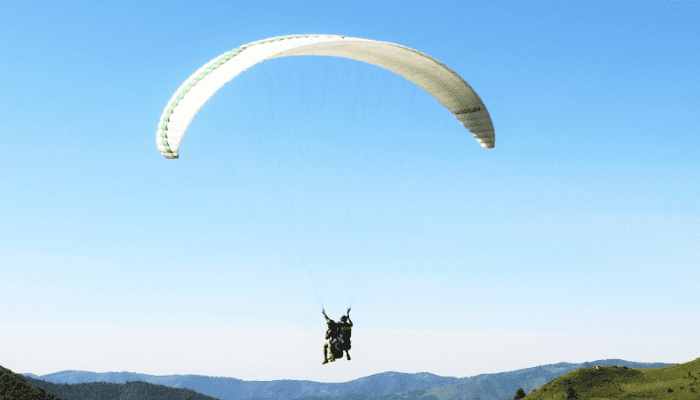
point(324, 181)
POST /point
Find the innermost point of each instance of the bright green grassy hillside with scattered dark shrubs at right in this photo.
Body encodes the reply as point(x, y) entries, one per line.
point(678, 382)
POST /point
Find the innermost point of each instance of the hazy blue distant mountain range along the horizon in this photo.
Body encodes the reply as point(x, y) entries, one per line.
point(388, 385)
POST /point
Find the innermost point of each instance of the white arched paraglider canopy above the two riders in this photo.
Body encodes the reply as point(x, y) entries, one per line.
point(434, 77)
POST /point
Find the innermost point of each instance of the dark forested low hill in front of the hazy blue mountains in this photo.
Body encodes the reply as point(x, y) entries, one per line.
point(116, 391)
